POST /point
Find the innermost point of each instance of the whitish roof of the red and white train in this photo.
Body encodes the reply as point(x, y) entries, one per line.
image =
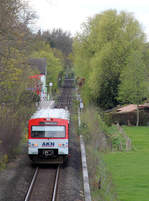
point(52, 113)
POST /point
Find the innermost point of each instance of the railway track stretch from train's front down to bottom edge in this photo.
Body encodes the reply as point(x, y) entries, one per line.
point(44, 184)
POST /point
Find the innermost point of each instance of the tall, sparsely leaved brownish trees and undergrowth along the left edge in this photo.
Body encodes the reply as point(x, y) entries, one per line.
point(15, 40)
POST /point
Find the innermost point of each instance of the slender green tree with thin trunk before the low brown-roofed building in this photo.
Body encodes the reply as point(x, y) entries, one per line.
point(133, 82)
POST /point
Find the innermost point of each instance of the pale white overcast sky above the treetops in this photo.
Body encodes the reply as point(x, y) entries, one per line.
point(70, 14)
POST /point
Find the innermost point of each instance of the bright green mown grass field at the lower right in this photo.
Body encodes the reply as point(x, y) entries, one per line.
point(130, 170)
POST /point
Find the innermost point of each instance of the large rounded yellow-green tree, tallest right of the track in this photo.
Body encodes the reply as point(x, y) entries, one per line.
point(101, 53)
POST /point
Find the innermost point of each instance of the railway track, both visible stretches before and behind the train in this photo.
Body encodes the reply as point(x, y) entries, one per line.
point(45, 180)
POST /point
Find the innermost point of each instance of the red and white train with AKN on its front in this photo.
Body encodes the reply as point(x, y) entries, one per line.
point(48, 136)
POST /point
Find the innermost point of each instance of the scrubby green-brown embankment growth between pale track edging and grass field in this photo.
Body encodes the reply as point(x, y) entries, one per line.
point(99, 138)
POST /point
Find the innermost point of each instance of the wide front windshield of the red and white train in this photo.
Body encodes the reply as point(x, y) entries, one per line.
point(48, 131)
